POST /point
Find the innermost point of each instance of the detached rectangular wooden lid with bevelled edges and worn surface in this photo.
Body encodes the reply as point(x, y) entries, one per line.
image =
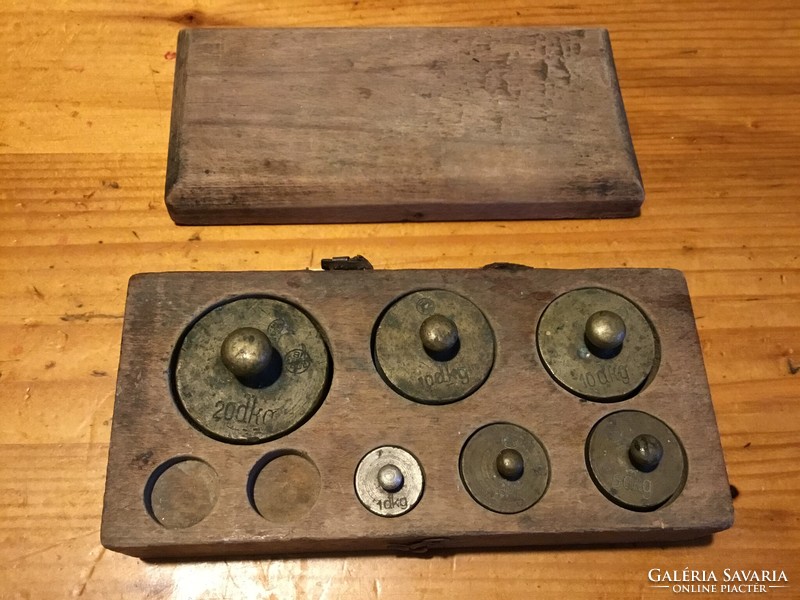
point(413, 124)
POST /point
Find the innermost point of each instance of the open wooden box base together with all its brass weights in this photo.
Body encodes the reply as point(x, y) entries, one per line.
point(307, 412)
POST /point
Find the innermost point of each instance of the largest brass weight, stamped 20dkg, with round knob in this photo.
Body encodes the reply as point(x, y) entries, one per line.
point(226, 405)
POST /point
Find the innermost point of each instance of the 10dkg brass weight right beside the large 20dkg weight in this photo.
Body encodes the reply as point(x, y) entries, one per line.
point(434, 347)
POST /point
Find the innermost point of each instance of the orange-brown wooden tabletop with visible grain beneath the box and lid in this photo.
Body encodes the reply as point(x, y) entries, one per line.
point(712, 91)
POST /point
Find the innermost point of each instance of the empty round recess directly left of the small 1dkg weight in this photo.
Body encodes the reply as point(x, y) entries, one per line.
point(286, 488)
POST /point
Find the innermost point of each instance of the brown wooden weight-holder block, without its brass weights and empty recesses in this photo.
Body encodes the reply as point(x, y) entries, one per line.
point(361, 412)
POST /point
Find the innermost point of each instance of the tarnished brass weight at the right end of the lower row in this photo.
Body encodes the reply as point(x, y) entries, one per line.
point(636, 460)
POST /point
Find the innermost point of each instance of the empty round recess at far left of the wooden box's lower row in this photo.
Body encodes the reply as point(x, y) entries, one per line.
point(182, 492)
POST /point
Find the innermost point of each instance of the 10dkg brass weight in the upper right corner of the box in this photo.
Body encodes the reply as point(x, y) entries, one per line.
point(597, 344)
